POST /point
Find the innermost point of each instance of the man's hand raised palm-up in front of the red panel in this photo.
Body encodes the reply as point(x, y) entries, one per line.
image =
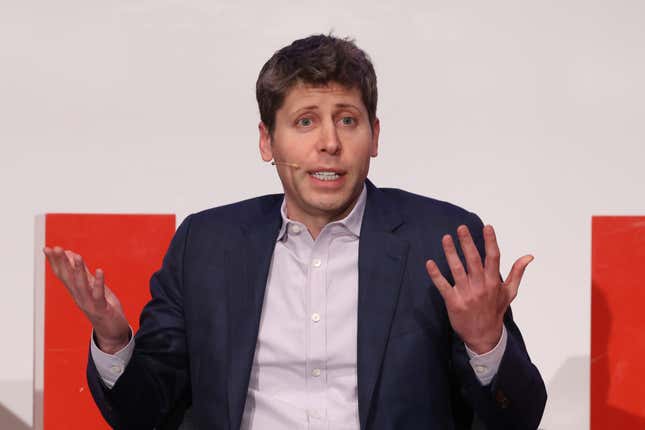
point(93, 297)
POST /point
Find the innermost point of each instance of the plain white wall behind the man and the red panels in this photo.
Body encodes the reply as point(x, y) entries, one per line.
point(529, 113)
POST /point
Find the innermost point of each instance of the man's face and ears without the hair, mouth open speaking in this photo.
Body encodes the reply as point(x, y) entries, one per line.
point(326, 132)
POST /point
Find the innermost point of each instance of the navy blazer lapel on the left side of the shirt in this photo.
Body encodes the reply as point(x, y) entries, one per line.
point(246, 295)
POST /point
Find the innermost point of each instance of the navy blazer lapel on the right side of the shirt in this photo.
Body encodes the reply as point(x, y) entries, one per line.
point(381, 263)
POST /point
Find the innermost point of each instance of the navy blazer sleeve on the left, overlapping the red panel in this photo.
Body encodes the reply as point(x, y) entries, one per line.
point(155, 384)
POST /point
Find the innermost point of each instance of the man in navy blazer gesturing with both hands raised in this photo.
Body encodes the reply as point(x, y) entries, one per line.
point(338, 305)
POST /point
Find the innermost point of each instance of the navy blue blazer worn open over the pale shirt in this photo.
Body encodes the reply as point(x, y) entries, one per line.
point(198, 333)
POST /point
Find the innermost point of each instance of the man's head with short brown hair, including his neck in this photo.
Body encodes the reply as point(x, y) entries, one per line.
point(317, 101)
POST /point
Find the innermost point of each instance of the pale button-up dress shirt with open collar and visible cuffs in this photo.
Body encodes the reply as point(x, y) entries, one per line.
point(304, 370)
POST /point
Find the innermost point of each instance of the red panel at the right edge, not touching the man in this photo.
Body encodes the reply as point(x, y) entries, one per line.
point(618, 323)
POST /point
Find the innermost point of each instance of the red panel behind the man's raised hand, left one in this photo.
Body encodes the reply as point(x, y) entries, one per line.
point(129, 248)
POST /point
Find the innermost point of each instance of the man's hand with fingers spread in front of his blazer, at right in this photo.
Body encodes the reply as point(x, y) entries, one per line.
point(479, 299)
